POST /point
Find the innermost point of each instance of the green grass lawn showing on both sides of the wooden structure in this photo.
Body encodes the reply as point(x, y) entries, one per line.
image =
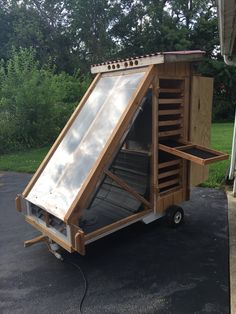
point(28, 161)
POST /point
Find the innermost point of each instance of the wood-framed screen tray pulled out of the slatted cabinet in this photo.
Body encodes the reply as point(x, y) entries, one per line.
point(195, 153)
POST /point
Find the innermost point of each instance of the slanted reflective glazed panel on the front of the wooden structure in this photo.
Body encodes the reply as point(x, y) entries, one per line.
point(67, 170)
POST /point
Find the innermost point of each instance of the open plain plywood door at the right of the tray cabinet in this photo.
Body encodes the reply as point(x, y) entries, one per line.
point(200, 122)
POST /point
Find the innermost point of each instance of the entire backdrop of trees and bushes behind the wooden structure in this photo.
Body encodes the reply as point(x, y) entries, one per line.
point(39, 80)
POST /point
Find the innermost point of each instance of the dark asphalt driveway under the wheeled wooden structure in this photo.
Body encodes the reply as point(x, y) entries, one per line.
point(140, 269)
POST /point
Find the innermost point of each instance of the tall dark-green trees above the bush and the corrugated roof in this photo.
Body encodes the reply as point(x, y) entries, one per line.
point(77, 33)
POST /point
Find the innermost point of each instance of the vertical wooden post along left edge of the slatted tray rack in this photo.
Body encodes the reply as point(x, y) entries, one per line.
point(154, 159)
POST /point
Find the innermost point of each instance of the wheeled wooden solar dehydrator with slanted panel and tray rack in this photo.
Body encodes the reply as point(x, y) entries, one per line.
point(130, 151)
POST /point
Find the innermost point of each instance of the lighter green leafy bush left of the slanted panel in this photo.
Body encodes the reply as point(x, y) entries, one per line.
point(35, 102)
